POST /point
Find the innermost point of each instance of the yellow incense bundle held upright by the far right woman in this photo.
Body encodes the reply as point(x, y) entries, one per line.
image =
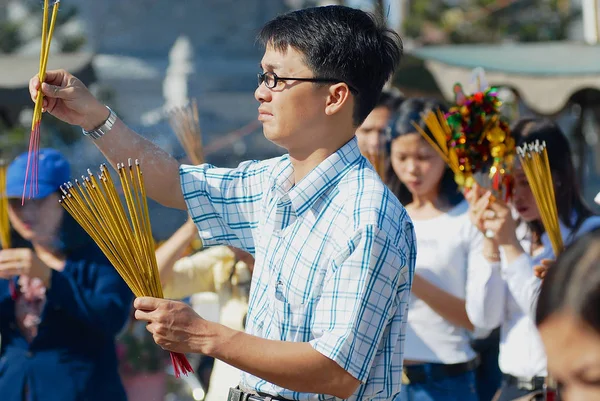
point(535, 163)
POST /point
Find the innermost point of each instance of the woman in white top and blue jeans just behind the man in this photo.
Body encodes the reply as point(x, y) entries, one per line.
point(455, 277)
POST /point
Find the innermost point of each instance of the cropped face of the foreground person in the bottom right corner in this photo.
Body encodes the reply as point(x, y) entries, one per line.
point(573, 350)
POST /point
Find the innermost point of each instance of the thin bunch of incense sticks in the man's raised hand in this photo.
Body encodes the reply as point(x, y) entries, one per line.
point(31, 173)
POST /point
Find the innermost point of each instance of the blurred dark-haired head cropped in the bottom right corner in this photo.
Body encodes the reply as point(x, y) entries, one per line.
point(568, 317)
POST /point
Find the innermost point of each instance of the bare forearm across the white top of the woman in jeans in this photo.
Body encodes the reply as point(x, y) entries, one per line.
point(448, 306)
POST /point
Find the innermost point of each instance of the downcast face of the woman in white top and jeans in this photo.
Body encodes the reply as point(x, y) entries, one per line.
point(417, 164)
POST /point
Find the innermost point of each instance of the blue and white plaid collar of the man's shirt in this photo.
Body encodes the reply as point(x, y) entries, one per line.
point(304, 194)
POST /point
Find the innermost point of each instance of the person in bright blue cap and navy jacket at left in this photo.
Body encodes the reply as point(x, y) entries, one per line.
point(61, 303)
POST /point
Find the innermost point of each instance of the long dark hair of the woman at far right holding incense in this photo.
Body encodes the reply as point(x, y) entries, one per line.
point(569, 200)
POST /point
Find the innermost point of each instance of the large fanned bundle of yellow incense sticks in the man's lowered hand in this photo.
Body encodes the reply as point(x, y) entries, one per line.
point(125, 238)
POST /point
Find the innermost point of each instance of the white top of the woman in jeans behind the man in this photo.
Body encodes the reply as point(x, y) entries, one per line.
point(449, 255)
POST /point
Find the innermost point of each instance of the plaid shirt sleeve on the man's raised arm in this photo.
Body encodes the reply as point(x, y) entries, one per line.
point(224, 203)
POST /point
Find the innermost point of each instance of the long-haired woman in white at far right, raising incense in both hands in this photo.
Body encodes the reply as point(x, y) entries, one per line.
point(522, 244)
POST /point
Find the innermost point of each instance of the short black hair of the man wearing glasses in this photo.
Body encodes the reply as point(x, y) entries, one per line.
point(342, 43)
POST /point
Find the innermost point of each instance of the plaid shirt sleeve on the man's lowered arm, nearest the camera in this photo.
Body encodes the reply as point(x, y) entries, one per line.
point(367, 289)
